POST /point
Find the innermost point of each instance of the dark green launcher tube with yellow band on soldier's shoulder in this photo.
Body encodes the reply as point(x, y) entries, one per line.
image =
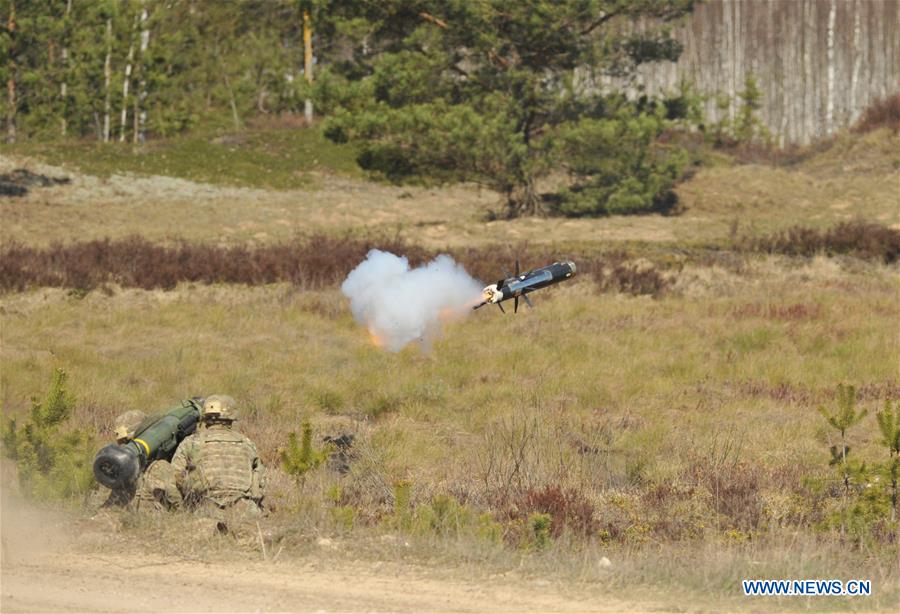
point(119, 466)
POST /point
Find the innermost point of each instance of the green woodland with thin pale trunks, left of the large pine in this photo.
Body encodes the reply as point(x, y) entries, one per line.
point(129, 69)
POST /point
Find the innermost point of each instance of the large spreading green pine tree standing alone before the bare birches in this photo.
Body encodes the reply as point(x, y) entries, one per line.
point(479, 89)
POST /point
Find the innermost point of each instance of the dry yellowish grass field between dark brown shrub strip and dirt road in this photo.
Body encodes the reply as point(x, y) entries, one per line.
point(685, 424)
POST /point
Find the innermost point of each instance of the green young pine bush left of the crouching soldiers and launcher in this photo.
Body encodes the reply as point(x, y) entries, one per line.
point(53, 462)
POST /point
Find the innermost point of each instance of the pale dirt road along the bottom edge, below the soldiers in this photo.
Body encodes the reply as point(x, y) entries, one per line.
point(99, 583)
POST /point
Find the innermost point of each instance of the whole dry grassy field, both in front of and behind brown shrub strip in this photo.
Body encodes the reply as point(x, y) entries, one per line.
point(677, 436)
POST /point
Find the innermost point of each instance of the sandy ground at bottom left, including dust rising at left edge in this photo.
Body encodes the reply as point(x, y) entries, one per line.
point(48, 564)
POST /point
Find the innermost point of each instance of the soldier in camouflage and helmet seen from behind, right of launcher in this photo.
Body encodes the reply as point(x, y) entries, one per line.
point(217, 467)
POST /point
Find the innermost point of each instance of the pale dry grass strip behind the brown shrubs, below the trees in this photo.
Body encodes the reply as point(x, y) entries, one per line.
point(856, 178)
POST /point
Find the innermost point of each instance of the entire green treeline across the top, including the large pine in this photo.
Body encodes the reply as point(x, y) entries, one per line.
point(480, 90)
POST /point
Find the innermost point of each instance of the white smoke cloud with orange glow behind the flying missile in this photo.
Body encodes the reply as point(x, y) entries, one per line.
point(400, 305)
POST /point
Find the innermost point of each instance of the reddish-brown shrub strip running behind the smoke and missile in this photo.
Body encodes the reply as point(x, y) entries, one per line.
point(321, 261)
